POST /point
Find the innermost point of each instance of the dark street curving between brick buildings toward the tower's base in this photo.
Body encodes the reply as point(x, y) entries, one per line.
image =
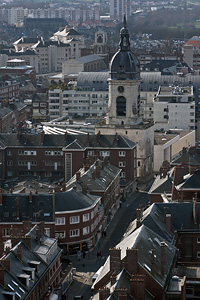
point(86, 267)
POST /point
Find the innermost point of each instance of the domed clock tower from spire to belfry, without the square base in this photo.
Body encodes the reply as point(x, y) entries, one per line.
point(124, 85)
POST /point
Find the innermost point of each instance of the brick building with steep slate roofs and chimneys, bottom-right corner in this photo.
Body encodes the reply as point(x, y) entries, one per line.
point(155, 258)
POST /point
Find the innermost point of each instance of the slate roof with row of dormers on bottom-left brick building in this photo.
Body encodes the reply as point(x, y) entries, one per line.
point(18, 267)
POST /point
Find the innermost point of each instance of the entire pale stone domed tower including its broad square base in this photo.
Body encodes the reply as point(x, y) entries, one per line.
point(123, 115)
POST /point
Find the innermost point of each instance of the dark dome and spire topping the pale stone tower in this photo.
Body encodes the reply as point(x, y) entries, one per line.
point(124, 64)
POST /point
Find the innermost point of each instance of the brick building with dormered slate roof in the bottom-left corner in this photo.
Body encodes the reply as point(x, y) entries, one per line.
point(31, 267)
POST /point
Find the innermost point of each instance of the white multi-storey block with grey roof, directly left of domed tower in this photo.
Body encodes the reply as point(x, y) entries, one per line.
point(88, 99)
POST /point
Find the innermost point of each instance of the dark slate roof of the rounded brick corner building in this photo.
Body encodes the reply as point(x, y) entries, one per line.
point(72, 200)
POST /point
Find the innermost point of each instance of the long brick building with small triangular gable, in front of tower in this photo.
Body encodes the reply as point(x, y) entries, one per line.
point(61, 156)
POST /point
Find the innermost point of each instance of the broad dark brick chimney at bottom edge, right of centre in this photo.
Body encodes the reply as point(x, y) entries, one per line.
point(138, 286)
